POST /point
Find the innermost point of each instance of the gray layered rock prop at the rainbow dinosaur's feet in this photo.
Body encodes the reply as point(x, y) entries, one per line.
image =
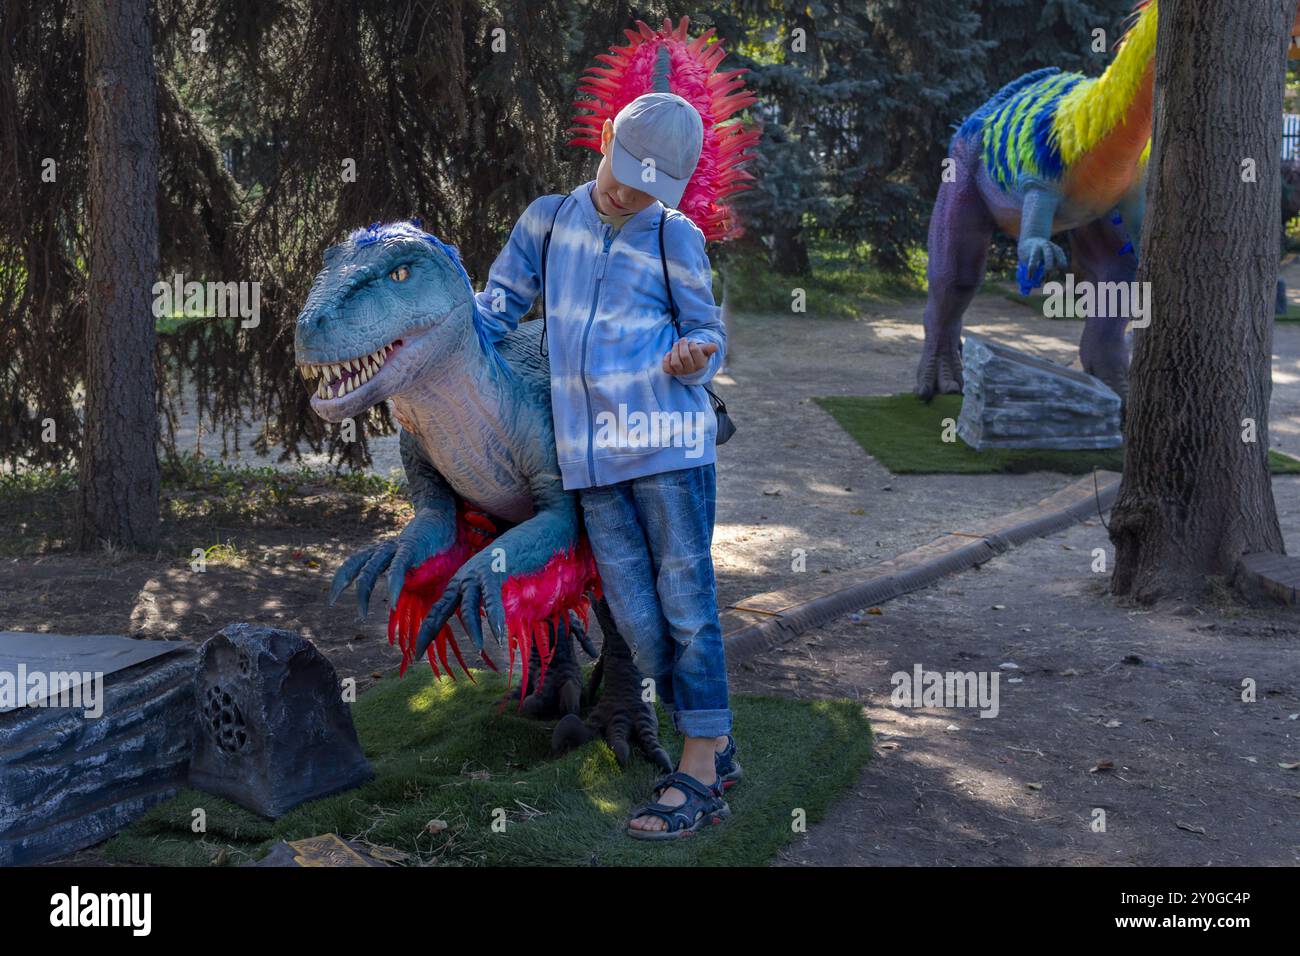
point(1017, 401)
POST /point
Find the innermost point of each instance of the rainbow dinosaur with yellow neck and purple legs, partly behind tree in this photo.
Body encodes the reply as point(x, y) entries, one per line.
point(1051, 153)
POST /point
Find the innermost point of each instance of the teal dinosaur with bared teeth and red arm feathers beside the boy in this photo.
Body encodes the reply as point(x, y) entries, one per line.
point(391, 318)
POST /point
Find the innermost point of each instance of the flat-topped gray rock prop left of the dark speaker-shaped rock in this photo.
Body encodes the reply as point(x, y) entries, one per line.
point(70, 780)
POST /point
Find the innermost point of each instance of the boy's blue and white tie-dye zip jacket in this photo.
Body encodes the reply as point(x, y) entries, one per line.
point(618, 414)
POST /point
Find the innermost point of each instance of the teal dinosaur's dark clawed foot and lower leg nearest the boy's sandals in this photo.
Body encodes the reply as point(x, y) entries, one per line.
point(622, 719)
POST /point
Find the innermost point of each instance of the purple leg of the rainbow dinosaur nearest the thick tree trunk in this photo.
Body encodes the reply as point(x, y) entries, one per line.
point(1100, 254)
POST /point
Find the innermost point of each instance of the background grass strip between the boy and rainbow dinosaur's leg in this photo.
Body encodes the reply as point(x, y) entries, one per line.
point(842, 283)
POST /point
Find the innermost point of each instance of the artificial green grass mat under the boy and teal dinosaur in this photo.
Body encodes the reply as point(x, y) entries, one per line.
point(445, 751)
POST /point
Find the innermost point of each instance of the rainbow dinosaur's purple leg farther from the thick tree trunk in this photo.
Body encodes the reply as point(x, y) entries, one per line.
point(960, 233)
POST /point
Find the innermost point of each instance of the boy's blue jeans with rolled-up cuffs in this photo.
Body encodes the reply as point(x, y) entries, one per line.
point(652, 539)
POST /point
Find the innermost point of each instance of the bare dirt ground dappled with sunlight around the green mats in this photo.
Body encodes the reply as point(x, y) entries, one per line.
point(1129, 711)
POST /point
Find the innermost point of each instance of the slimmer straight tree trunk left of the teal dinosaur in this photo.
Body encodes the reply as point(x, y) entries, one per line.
point(119, 499)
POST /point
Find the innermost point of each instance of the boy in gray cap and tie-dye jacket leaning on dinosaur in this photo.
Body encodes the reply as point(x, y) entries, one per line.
point(635, 431)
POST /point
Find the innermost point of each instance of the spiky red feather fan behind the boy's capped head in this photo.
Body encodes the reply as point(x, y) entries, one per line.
point(629, 72)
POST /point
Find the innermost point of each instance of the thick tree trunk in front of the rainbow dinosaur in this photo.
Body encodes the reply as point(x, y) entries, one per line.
point(1197, 494)
